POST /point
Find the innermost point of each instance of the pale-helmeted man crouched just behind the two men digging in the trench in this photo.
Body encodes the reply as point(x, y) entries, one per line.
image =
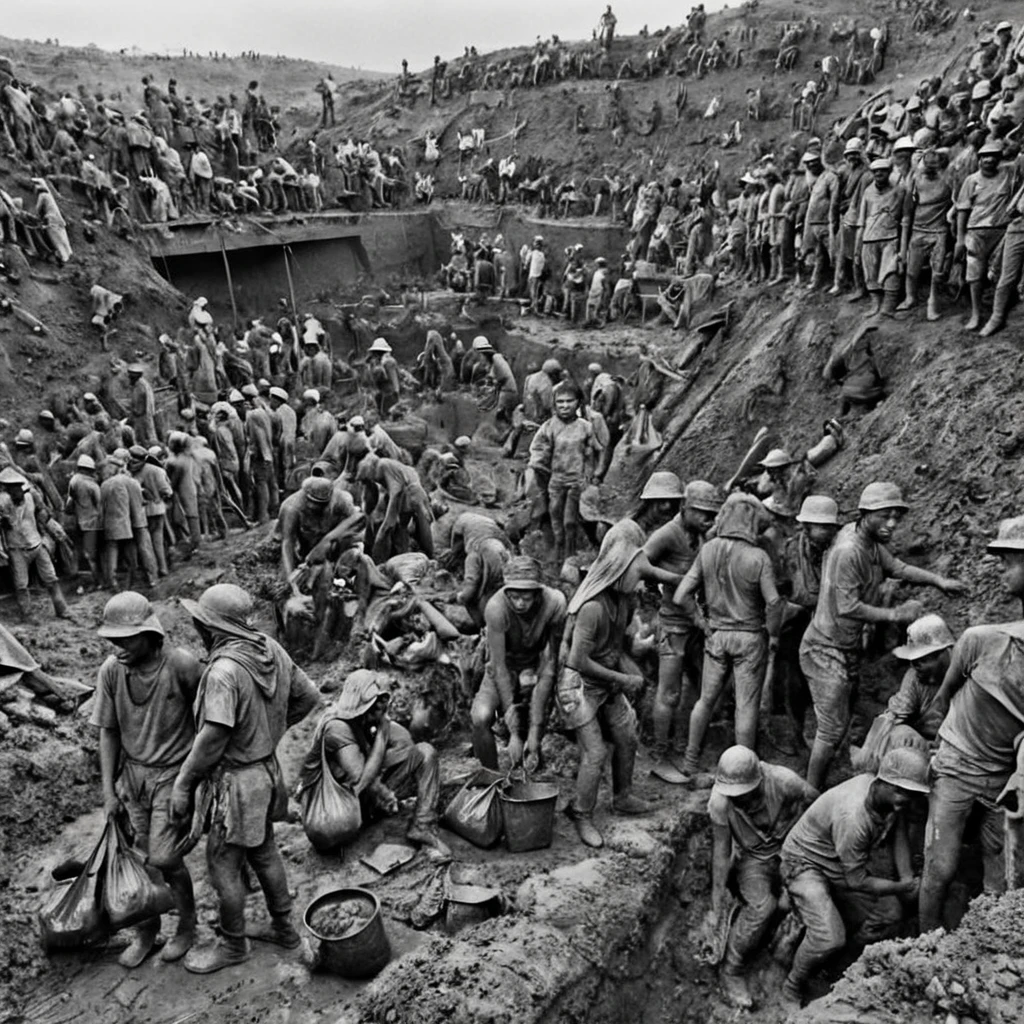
point(914, 714)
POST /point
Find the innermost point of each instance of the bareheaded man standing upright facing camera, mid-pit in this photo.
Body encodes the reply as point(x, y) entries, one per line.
point(563, 456)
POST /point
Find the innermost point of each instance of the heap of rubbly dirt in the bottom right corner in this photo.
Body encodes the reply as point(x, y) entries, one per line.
point(973, 974)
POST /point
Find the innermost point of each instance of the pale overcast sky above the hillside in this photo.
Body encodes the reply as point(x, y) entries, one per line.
point(374, 35)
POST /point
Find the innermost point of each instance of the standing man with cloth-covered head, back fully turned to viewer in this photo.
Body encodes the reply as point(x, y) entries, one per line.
point(743, 622)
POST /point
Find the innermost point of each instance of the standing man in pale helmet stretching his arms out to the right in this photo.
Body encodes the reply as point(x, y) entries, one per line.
point(851, 582)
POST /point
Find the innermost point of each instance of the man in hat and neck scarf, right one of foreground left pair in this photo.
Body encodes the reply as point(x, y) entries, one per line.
point(250, 694)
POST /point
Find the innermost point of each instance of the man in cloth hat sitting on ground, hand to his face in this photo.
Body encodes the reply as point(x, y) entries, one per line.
point(376, 759)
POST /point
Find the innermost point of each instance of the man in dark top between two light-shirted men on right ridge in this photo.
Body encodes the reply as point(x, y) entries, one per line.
point(926, 230)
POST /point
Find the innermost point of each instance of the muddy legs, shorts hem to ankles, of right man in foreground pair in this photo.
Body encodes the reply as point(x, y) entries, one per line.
point(226, 863)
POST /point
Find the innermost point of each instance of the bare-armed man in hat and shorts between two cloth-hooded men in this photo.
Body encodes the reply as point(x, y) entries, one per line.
point(674, 547)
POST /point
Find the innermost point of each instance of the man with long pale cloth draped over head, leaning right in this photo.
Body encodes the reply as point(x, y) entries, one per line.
point(598, 676)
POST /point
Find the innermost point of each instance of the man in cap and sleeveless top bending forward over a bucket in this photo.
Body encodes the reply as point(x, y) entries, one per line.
point(525, 623)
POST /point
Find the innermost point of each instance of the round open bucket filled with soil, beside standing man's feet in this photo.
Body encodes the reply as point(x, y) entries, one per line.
point(351, 930)
